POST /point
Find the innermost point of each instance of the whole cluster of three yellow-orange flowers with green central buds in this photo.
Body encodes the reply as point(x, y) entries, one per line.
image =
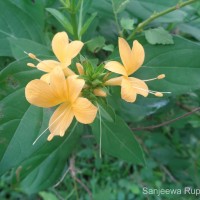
point(77, 93)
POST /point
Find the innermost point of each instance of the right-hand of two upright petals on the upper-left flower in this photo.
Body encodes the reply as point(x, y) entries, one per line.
point(73, 49)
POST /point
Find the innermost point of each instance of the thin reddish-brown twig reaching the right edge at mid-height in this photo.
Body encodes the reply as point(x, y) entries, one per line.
point(166, 122)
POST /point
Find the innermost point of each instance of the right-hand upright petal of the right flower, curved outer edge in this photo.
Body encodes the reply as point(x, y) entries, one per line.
point(137, 57)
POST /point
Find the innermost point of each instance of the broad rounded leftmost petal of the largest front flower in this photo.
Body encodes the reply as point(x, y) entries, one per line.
point(39, 93)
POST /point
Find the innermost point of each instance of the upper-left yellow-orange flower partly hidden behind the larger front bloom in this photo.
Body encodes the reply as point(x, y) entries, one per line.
point(64, 51)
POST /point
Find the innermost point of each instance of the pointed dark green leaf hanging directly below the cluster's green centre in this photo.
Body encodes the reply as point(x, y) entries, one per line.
point(118, 140)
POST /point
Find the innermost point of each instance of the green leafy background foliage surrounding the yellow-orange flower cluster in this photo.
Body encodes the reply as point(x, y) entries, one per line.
point(171, 152)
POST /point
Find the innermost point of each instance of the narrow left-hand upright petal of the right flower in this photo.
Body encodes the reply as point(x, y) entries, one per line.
point(125, 53)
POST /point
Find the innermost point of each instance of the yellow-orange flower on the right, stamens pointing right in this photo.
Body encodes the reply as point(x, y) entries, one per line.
point(132, 60)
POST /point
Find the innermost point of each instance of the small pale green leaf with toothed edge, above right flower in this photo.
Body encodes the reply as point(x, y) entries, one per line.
point(158, 36)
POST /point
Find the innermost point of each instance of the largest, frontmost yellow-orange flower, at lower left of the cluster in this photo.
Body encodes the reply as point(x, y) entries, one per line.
point(65, 92)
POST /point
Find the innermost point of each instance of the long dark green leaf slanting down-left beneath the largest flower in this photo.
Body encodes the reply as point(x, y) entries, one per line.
point(47, 158)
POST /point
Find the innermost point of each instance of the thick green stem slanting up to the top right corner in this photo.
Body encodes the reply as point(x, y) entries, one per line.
point(156, 15)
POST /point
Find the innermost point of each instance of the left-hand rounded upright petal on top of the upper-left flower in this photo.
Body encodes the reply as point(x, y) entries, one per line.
point(59, 45)
